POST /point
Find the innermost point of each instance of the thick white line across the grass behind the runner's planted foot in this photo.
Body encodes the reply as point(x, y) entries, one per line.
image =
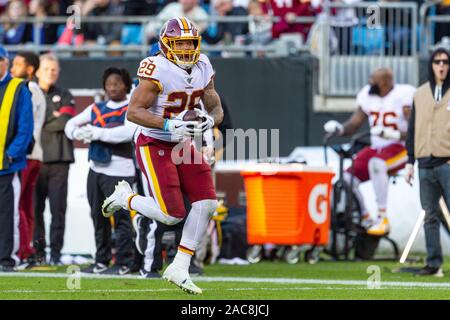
point(397, 284)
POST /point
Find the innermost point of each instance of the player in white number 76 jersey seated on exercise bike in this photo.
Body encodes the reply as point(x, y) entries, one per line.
point(387, 107)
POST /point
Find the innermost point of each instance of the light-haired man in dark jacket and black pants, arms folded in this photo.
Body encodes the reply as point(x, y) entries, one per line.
point(57, 156)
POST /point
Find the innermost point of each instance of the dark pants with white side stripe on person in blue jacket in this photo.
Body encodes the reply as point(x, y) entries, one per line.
point(9, 219)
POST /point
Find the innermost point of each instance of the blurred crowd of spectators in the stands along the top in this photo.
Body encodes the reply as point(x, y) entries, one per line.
point(260, 31)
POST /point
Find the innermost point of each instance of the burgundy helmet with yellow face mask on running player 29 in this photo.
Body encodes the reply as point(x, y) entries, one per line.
point(174, 40)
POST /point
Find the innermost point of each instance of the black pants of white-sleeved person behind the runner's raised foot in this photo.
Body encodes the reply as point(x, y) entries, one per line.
point(99, 187)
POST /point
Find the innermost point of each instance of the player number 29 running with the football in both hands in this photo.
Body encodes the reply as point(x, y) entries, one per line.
point(170, 84)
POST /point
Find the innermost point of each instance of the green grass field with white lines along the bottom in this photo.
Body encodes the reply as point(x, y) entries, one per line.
point(265, 280)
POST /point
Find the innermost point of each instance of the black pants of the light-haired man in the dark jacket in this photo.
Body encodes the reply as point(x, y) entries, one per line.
point(52, 183)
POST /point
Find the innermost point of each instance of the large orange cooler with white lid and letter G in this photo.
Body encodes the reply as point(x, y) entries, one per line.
point(288, 204)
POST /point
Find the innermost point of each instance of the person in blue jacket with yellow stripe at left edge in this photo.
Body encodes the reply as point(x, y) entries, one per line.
point(16, 132)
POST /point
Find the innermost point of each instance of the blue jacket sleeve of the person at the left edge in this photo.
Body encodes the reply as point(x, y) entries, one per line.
point(24, 115)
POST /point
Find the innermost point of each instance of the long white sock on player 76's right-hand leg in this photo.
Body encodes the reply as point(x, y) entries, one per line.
point(378, 173)
